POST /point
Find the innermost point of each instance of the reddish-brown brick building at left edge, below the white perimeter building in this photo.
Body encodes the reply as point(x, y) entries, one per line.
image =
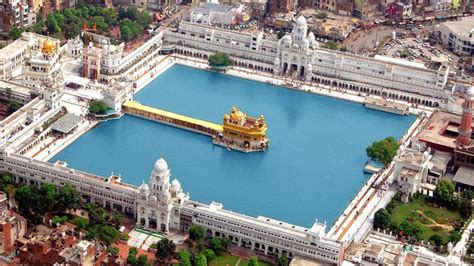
point(12, 226)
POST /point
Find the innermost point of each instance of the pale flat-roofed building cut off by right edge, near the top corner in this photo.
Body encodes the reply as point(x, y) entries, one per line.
point(458, 36)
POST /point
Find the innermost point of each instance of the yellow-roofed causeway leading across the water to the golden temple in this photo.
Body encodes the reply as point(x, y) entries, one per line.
point(173, 119)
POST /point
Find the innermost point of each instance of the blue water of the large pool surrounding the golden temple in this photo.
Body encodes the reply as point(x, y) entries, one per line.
point(312, 169)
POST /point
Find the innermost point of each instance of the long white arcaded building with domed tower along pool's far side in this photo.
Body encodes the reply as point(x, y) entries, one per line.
point(298, 55)
